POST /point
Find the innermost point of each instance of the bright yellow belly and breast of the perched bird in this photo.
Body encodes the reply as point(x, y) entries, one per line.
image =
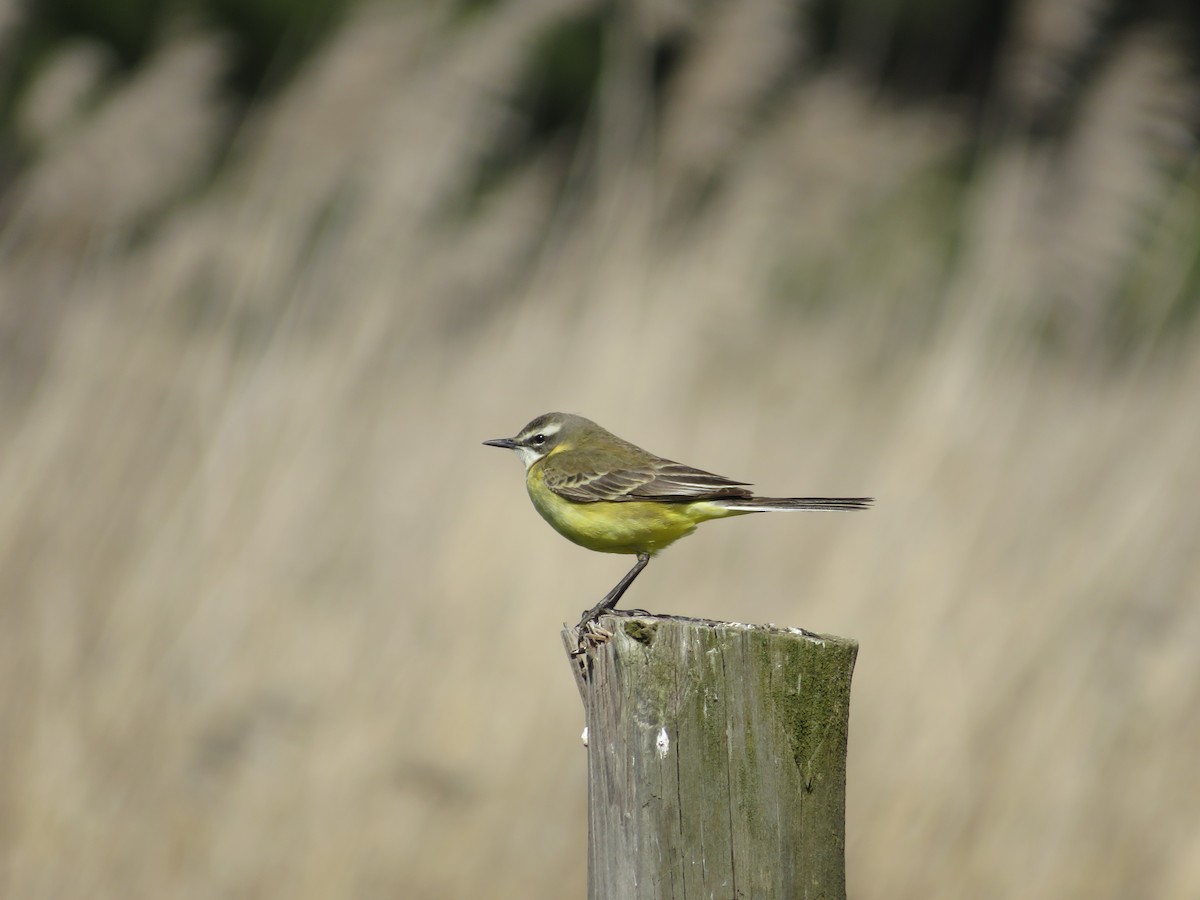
point(628, 527)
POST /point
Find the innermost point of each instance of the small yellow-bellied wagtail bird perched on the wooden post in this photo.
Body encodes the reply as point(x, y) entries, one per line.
point(608, 495)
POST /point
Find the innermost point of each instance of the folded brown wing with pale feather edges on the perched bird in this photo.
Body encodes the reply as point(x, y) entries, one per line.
point(655, 481)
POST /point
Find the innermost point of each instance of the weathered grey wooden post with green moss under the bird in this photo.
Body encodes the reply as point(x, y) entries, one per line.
point(717, 760)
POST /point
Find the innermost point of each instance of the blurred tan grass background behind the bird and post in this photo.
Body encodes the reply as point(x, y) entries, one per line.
point(273, 623)
